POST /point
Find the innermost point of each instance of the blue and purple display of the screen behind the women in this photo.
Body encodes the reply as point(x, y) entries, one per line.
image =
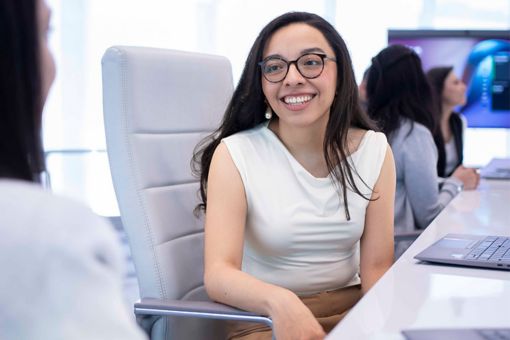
point(482, 63)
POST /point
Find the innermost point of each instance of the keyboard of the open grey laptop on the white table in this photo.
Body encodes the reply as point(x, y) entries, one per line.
point(491, 249)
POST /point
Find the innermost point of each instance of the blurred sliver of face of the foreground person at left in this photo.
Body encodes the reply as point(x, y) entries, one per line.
point(46, 58)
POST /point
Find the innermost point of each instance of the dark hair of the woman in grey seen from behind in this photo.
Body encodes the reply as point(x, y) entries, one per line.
point(397, 88)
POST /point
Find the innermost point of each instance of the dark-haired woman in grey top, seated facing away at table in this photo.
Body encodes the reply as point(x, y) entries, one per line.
point(400, 100)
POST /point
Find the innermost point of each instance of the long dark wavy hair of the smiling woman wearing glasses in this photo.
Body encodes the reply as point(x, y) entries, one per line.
point(246, 108)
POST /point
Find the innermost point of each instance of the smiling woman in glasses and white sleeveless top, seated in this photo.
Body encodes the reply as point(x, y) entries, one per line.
point(297, 187)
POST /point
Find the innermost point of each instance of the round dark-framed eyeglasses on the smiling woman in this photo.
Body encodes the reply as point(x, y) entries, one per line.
point(309, 65)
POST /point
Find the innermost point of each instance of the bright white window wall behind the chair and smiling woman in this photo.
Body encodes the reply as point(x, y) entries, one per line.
point(83, 29)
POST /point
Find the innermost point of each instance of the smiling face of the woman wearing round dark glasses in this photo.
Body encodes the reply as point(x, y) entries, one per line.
point(296, 100)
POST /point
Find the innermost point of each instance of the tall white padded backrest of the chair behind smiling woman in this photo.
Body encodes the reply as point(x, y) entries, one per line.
point(158, 104)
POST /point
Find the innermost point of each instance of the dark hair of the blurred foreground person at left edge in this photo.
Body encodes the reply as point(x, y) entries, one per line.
point(21, 153)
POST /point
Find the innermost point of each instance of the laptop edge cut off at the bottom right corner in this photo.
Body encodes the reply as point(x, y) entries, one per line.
point(458, 334)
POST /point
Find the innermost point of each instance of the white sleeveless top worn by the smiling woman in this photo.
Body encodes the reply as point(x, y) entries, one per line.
point(297, 235)
